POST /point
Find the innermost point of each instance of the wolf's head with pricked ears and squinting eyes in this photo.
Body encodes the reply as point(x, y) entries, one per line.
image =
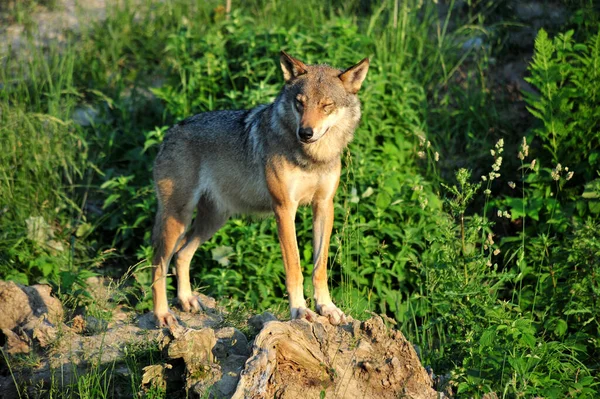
point(322, 99)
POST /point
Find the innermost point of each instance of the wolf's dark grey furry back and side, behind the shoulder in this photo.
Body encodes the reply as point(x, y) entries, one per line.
point(219, 155)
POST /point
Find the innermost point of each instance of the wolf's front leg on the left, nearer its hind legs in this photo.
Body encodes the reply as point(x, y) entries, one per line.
point(284, 214)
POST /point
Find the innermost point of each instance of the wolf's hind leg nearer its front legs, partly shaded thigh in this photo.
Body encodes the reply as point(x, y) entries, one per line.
point(208, 221)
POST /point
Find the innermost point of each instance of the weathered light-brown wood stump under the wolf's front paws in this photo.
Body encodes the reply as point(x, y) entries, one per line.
point(311, 359)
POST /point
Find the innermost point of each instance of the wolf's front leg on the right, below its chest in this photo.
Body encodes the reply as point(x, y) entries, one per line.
point(322, 226)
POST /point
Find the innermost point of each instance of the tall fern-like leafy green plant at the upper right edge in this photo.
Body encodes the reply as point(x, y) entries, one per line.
point(567, 75)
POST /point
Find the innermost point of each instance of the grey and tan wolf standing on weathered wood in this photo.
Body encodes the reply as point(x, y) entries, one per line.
point(269, 159)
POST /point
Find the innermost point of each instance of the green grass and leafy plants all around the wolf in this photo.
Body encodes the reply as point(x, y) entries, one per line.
point(489, 261)
